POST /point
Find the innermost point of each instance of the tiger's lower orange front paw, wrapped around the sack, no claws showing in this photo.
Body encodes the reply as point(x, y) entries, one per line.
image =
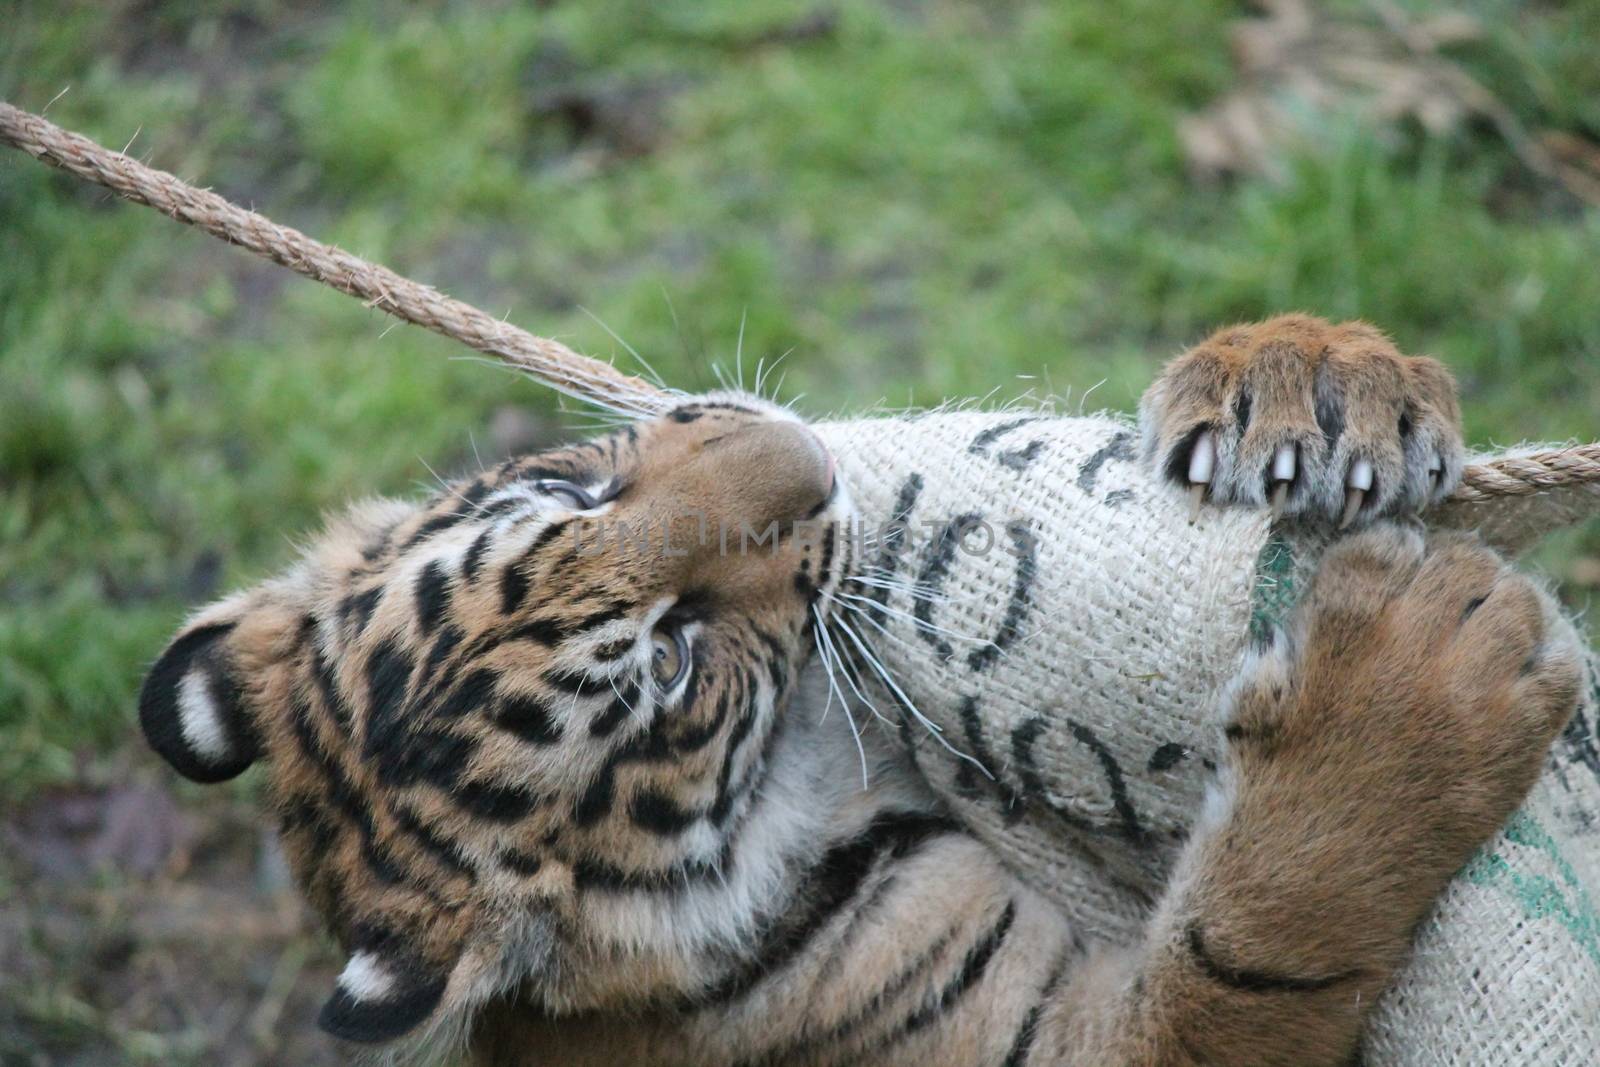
point(1406, 713)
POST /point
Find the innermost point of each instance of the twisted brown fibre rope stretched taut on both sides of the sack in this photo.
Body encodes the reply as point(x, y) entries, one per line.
point(546, 361)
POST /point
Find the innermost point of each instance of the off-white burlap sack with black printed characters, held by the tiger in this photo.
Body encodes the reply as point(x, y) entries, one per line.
point(1047, 605)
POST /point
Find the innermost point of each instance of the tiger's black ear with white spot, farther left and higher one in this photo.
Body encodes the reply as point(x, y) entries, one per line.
point(191, 708)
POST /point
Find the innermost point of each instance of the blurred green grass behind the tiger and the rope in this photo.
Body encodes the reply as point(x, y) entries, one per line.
point(934, 199)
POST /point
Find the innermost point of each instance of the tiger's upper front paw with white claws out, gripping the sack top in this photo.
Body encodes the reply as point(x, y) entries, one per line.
point(1318, 420)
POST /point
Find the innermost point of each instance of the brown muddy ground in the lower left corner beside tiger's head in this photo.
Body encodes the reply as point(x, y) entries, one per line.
point(138, 927)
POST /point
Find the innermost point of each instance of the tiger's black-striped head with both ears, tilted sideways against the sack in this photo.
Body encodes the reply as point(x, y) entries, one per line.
point(562, 674)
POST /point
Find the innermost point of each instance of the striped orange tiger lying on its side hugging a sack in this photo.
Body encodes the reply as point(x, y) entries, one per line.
point(567, 794)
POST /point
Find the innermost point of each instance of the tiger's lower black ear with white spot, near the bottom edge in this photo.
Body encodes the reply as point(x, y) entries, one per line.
point(383, 994)
